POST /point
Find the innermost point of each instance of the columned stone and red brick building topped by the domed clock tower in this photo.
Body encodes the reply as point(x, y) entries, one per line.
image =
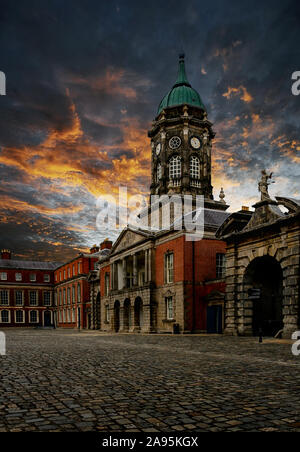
point(165, 281)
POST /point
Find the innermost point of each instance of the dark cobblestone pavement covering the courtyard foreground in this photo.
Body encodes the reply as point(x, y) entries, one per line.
point(80, 381)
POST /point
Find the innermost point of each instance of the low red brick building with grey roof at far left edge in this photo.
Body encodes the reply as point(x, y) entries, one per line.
point(26, 292)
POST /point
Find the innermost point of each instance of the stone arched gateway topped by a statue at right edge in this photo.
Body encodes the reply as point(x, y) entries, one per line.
point(263, 266)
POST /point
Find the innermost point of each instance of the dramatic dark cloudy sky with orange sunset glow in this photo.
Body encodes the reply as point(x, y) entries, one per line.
point(84, 79)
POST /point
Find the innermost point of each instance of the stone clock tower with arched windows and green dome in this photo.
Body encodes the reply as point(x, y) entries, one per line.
point(181, 143)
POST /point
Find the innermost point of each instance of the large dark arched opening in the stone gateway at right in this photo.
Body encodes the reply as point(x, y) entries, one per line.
point(263, 286)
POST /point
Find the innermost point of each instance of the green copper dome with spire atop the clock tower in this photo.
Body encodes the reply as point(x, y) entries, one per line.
point(182, 92)
